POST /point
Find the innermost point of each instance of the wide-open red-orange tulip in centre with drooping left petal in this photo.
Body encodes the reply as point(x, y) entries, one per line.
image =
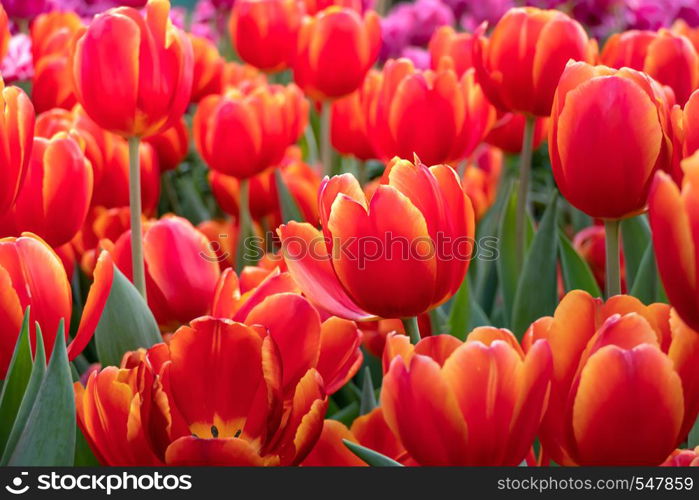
point(397, 255)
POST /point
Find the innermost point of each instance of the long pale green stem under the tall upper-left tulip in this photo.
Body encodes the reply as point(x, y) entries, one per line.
point(139, 273)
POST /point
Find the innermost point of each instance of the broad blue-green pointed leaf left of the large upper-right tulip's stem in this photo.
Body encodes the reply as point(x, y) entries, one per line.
point(537, 289)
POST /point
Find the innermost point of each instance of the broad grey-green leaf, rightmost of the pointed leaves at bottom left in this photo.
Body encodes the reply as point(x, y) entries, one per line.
point(48, 438)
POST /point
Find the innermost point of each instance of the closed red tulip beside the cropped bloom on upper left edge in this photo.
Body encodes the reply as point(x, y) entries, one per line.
point(57, 190)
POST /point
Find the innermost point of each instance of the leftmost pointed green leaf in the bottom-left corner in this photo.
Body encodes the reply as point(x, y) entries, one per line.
point(16, 381)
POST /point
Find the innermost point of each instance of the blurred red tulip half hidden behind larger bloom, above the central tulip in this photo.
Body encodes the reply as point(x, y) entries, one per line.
point(349, 129)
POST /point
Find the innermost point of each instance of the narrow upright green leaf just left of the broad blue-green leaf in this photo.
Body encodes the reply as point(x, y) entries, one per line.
point(507, 267)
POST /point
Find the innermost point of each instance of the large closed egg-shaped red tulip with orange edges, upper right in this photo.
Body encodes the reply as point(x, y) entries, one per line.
point(622, 152)
